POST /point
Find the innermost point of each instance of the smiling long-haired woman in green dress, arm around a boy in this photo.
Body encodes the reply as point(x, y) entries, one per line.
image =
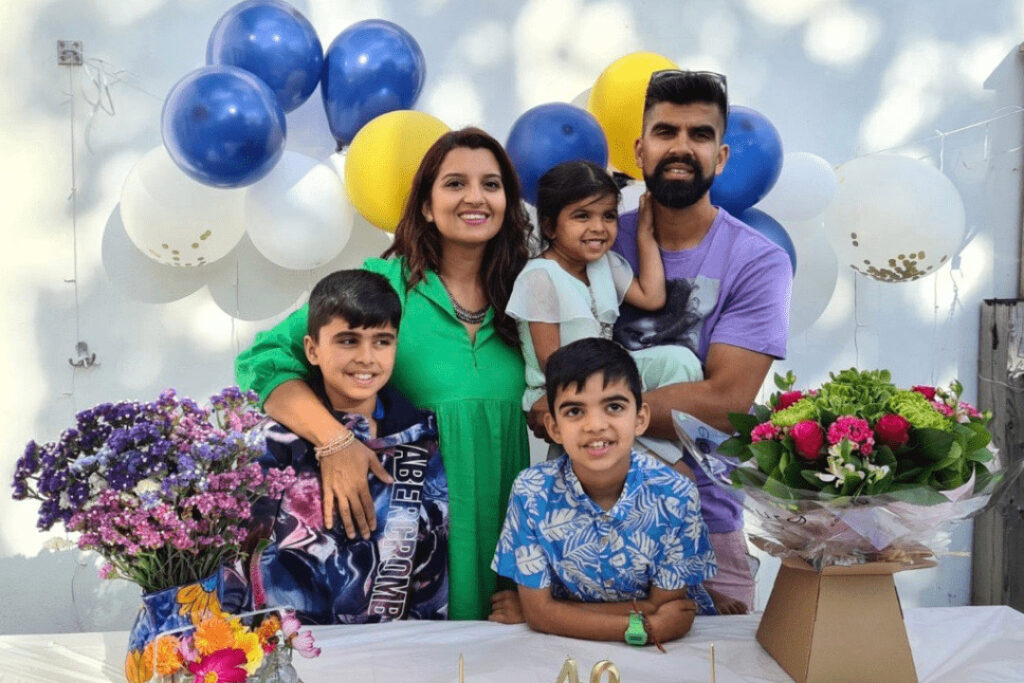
point(458, 248)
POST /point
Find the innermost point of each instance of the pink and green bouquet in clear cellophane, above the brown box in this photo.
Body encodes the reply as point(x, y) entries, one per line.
point(859, 471)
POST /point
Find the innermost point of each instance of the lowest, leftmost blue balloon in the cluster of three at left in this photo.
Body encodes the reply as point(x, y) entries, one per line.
point(224, 126)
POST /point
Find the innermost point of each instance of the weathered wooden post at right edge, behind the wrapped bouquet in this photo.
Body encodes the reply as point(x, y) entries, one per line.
point(998, 565)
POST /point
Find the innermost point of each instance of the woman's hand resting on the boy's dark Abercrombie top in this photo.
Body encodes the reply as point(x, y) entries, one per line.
point(344, 477)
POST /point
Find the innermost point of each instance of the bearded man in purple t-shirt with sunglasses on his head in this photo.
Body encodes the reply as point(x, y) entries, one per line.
point(729, 289)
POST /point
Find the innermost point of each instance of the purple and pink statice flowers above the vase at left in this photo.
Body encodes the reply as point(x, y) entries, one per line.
point(163, 490)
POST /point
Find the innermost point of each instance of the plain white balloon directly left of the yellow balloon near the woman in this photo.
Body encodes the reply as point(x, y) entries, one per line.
point(300, 216)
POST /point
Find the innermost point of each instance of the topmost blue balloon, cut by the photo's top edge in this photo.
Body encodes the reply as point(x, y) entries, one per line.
point(274, 41)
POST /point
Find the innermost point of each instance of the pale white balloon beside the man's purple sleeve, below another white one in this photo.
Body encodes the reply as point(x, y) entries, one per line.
point(815, 283)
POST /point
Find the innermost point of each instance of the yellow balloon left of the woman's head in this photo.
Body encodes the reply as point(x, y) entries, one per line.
point(382, 160)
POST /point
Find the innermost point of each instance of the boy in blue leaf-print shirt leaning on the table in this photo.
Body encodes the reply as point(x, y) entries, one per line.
point(603, 535)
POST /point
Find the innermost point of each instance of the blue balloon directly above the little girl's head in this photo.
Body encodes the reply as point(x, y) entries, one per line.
point(550, 135)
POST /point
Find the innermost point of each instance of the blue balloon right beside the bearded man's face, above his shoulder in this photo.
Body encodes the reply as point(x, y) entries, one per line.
point(755, 161)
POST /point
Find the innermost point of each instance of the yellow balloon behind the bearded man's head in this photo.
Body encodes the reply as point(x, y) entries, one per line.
point(617, 103)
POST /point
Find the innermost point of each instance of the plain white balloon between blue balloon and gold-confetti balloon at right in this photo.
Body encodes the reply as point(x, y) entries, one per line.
point(804, 190)
